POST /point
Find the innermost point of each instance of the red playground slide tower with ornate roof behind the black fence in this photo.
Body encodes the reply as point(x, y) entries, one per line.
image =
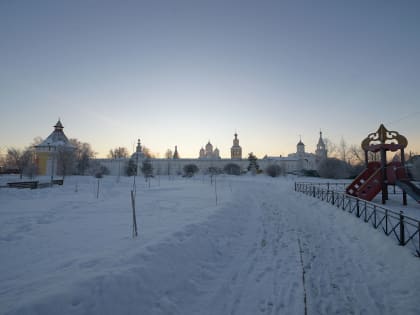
point(378, 175)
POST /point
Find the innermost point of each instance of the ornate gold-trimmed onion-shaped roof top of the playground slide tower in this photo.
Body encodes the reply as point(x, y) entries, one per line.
point(383, 138)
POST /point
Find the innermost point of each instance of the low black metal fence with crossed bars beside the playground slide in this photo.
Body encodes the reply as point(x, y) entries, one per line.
point(404, 229)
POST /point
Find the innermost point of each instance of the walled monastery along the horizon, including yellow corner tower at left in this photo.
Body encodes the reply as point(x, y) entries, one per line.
point(48, 162)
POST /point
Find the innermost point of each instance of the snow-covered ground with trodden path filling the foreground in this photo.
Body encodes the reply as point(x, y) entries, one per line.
point(262, 249)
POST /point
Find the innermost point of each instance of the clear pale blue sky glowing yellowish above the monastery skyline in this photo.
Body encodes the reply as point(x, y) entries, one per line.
point(185, 72)
